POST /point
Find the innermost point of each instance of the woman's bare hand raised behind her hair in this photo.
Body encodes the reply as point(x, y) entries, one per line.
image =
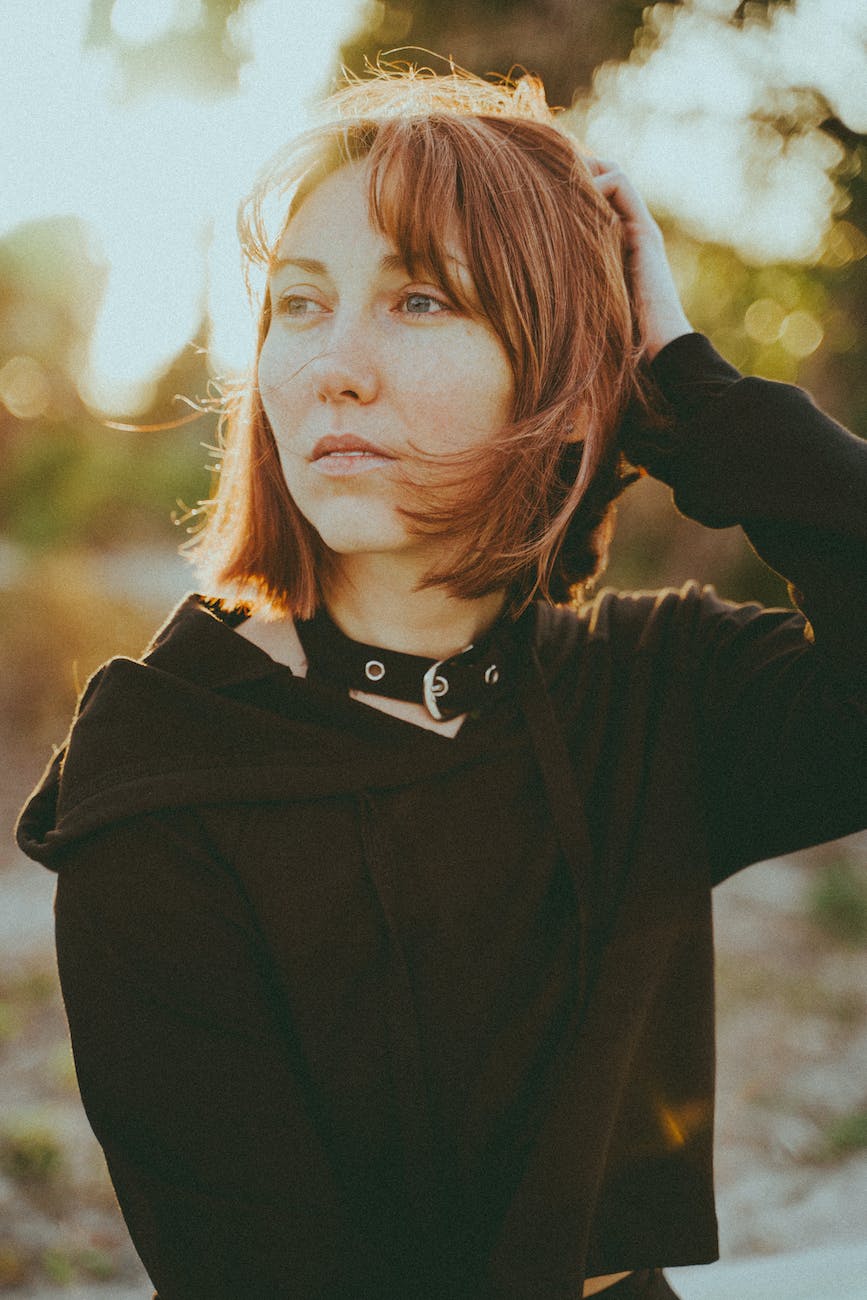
point(661, 315)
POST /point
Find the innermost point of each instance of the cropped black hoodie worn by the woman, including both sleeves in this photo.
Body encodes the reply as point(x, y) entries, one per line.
point(361, 1011)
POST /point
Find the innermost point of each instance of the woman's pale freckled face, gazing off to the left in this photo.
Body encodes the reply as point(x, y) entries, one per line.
point(361, 363)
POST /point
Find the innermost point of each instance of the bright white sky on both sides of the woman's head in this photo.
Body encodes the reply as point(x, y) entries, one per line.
point(158, 179)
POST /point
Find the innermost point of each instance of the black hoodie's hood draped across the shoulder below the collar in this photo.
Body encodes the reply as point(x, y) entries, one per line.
point(184, 726)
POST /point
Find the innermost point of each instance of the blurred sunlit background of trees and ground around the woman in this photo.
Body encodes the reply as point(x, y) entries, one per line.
point(129, 129)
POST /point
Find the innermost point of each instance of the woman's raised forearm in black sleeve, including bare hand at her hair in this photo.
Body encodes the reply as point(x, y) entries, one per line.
point(748, 452)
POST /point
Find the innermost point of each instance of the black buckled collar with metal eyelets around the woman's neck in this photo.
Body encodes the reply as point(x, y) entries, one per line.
point(466, 683)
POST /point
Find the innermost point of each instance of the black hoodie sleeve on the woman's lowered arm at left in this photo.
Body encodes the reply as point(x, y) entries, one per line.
point(188, 1068)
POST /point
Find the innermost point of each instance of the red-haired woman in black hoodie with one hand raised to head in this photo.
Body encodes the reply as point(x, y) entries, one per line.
point(384, 895)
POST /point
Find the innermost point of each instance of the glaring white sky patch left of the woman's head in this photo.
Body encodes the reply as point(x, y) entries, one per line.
point(159, 179)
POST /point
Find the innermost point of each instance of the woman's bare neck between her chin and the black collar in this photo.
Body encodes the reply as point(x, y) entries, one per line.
point(375, 600)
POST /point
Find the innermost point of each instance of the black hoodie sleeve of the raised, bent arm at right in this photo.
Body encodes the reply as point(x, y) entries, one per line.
point(782, 695)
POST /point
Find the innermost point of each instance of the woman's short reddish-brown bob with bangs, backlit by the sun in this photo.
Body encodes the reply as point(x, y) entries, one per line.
point(458, 157)
